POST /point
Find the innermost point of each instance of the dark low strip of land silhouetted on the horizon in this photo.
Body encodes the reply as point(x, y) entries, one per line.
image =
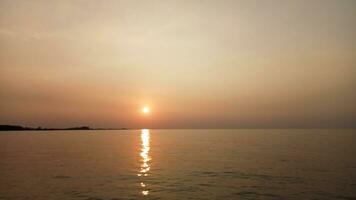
point(22, 128)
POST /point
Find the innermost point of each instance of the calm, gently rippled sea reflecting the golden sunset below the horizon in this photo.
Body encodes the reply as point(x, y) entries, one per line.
point(178, 164)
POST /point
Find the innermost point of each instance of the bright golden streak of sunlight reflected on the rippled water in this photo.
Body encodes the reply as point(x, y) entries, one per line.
point(145, 158)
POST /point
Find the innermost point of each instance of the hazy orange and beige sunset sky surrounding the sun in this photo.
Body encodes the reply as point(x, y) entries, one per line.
point(196, 64)
